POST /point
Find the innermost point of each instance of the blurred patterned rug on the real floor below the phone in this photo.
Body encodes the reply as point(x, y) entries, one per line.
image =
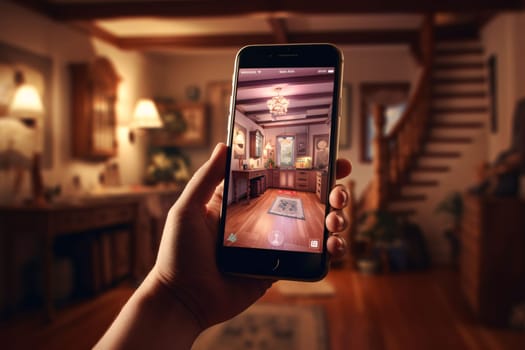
point(269, 326)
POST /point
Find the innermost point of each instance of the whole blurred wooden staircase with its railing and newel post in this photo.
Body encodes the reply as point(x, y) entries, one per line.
point(439, 140)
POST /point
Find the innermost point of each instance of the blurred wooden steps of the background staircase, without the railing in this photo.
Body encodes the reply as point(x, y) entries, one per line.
point(459, 108)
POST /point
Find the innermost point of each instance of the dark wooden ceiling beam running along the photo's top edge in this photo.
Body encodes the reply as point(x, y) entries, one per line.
point(212, 8)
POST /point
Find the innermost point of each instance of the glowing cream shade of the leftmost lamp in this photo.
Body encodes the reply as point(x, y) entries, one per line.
point(26, 103)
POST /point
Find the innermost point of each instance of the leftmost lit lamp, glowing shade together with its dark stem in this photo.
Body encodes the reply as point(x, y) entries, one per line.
point(27, 106)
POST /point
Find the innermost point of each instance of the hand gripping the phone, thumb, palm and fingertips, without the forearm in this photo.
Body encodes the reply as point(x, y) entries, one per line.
point(186, 262)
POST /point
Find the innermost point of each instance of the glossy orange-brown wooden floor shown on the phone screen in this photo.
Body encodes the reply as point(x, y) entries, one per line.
point(292, 233)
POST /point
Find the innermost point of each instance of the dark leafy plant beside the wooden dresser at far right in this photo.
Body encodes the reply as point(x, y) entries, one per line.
point(452, 205)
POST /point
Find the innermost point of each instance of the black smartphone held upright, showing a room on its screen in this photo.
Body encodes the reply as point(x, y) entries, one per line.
point(282, 149)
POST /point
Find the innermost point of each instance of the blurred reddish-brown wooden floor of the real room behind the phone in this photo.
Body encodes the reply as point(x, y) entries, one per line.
point(397, 311)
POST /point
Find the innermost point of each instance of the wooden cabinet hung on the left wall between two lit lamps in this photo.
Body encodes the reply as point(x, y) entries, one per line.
point(94, 94)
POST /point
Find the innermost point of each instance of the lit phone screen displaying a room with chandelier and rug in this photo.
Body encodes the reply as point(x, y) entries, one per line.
point(288, 210)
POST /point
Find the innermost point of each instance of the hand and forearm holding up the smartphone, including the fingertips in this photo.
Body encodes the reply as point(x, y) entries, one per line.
point(185, 293)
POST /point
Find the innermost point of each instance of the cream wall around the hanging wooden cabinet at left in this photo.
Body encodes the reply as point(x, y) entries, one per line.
point(30, 31)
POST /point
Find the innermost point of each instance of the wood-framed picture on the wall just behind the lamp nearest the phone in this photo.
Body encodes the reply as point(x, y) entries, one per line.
point(185, 125)
